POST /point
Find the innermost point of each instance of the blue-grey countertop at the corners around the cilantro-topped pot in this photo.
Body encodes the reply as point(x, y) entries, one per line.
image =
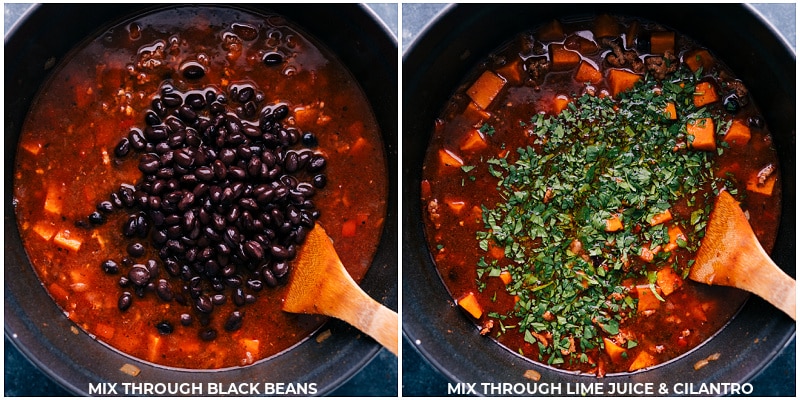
point(421, 379)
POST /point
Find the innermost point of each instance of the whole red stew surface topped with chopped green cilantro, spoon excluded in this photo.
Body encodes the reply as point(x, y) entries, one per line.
point(549, 225)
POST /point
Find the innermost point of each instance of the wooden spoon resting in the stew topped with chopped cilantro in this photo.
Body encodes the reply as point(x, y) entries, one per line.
point(730, 255)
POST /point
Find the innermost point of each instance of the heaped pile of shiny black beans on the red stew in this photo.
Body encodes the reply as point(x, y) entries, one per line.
point(224, 201)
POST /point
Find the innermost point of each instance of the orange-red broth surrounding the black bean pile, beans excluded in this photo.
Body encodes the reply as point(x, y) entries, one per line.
point(67, 166)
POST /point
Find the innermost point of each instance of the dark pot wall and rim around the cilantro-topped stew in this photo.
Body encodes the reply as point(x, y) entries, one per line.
point(433, 68)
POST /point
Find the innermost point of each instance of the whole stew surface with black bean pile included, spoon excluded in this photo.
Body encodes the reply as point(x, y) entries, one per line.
point(166, 173)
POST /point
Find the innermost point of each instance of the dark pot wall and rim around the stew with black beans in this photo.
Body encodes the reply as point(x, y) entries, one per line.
point(38, 328)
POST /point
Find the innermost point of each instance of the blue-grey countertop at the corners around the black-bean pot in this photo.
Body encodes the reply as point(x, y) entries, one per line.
point(378, 378)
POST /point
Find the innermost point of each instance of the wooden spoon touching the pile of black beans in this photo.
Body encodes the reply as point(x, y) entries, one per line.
point(320, 284)
